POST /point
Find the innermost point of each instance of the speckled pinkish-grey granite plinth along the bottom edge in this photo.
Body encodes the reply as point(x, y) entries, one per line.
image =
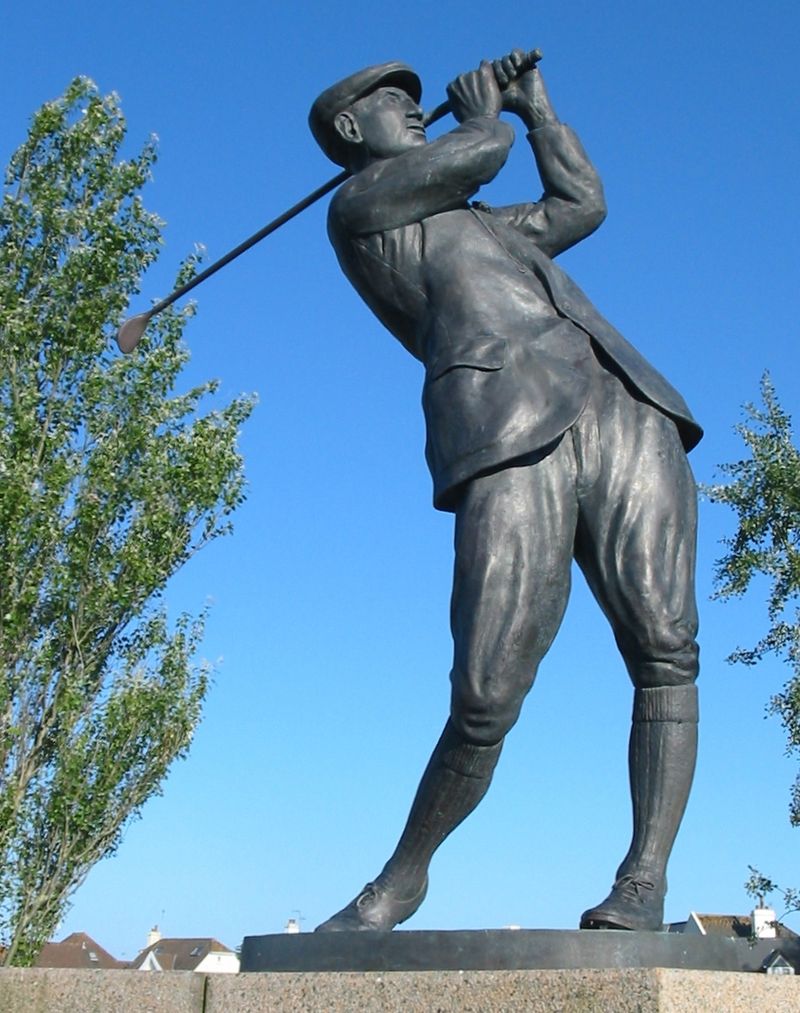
point(589, 991)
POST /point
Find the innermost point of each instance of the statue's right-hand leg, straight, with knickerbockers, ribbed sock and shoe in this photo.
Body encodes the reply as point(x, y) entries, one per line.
point(636, 547)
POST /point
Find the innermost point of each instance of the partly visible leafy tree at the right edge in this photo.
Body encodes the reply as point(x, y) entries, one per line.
point(764, 491)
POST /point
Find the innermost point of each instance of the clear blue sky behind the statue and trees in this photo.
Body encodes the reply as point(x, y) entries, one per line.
point(330, 615)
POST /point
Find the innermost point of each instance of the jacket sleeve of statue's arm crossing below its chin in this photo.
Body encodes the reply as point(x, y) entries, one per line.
point(426, 181)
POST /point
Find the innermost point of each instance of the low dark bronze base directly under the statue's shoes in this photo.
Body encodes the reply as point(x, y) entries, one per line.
point(506, 950)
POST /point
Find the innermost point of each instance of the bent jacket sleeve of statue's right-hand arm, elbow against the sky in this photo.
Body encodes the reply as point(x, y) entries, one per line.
point(573, 205)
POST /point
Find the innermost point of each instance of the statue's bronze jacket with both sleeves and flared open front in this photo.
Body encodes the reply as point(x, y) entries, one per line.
point(473, 293)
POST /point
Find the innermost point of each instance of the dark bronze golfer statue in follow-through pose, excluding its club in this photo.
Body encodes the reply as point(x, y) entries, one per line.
point(549, 437)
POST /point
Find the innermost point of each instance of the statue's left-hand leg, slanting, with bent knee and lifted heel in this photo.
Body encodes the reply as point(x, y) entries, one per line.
point(515, 532)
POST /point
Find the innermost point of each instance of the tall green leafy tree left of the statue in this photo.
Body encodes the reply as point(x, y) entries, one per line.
point(110, 482)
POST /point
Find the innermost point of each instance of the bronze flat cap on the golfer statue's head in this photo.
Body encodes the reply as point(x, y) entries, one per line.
point(342, 96)
